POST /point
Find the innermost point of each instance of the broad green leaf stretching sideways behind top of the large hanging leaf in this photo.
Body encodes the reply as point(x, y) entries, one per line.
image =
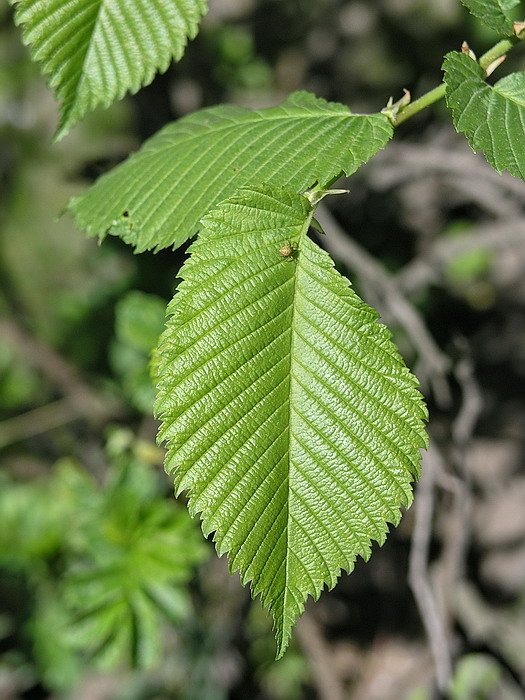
point(196, 162)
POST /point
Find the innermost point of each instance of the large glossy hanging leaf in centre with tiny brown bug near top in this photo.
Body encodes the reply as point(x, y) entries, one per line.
point(289, 416)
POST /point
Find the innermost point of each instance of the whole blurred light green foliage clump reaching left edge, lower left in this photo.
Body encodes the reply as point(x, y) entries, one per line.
point(107, 563)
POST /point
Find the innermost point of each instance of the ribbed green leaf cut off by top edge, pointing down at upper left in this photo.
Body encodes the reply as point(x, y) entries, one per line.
point(94, 51)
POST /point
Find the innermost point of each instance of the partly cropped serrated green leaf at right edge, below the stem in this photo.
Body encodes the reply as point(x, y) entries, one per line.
point(492, 117)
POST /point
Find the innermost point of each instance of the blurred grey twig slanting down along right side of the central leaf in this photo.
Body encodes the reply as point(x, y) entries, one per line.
point(433, 364)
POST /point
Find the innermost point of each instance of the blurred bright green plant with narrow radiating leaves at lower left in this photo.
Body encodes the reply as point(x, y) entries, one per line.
point(131, 572)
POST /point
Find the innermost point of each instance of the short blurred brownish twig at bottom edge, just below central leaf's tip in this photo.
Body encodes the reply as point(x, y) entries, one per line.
point(329, 685)
